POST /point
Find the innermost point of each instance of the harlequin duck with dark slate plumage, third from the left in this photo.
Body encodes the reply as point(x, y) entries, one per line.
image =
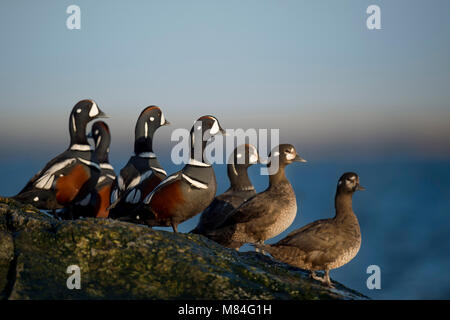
point(143, 172)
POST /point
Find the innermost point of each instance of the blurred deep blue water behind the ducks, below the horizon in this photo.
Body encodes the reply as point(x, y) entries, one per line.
point(404, 216)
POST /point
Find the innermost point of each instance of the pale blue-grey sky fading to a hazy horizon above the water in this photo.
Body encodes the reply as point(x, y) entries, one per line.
point(310, 68)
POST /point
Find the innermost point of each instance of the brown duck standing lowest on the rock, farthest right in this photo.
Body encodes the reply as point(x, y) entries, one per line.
point(324, 244)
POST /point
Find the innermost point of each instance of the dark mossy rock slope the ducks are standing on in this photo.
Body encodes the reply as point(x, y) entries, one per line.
point(119, 260)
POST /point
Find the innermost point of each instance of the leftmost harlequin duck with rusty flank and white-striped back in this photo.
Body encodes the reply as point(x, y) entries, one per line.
point(71, 175)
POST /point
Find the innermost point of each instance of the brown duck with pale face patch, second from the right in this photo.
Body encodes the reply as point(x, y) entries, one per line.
point(267, 214)
